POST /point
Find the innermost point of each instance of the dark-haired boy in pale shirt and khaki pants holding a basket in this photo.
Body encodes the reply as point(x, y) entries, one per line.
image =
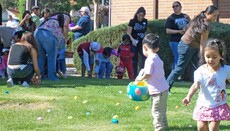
point(157, 84)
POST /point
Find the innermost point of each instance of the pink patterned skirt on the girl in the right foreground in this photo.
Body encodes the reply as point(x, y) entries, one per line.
point(219, 113)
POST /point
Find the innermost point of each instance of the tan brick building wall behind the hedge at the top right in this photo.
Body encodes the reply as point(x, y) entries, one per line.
point(123, 11)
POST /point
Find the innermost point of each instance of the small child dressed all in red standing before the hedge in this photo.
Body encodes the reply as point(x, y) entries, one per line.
point(126, 53)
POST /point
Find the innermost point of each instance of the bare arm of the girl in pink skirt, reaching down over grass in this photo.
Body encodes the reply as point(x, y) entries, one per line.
point(193, 89)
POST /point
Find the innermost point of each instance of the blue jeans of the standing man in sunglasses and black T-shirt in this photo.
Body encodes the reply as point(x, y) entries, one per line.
point(174, 48)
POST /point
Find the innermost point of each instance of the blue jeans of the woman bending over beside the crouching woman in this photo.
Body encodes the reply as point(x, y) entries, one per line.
point(47, 45)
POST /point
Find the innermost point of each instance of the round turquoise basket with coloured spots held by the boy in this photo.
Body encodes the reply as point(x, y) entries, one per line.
point(138, 91)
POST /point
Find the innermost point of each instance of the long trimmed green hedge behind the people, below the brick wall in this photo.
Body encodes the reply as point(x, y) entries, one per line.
point(111, 36)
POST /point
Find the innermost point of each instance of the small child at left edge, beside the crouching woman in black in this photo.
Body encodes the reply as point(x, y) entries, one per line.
point(3, 62)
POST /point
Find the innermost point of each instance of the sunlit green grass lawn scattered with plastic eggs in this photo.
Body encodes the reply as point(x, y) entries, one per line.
point(82, 104)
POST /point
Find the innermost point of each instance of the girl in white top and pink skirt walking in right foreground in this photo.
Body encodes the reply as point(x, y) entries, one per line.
point(211, 106)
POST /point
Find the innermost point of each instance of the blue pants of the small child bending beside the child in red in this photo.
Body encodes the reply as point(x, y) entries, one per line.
point(105, 68)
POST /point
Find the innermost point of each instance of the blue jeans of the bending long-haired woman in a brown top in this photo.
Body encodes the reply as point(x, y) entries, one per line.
point(186, 55)
